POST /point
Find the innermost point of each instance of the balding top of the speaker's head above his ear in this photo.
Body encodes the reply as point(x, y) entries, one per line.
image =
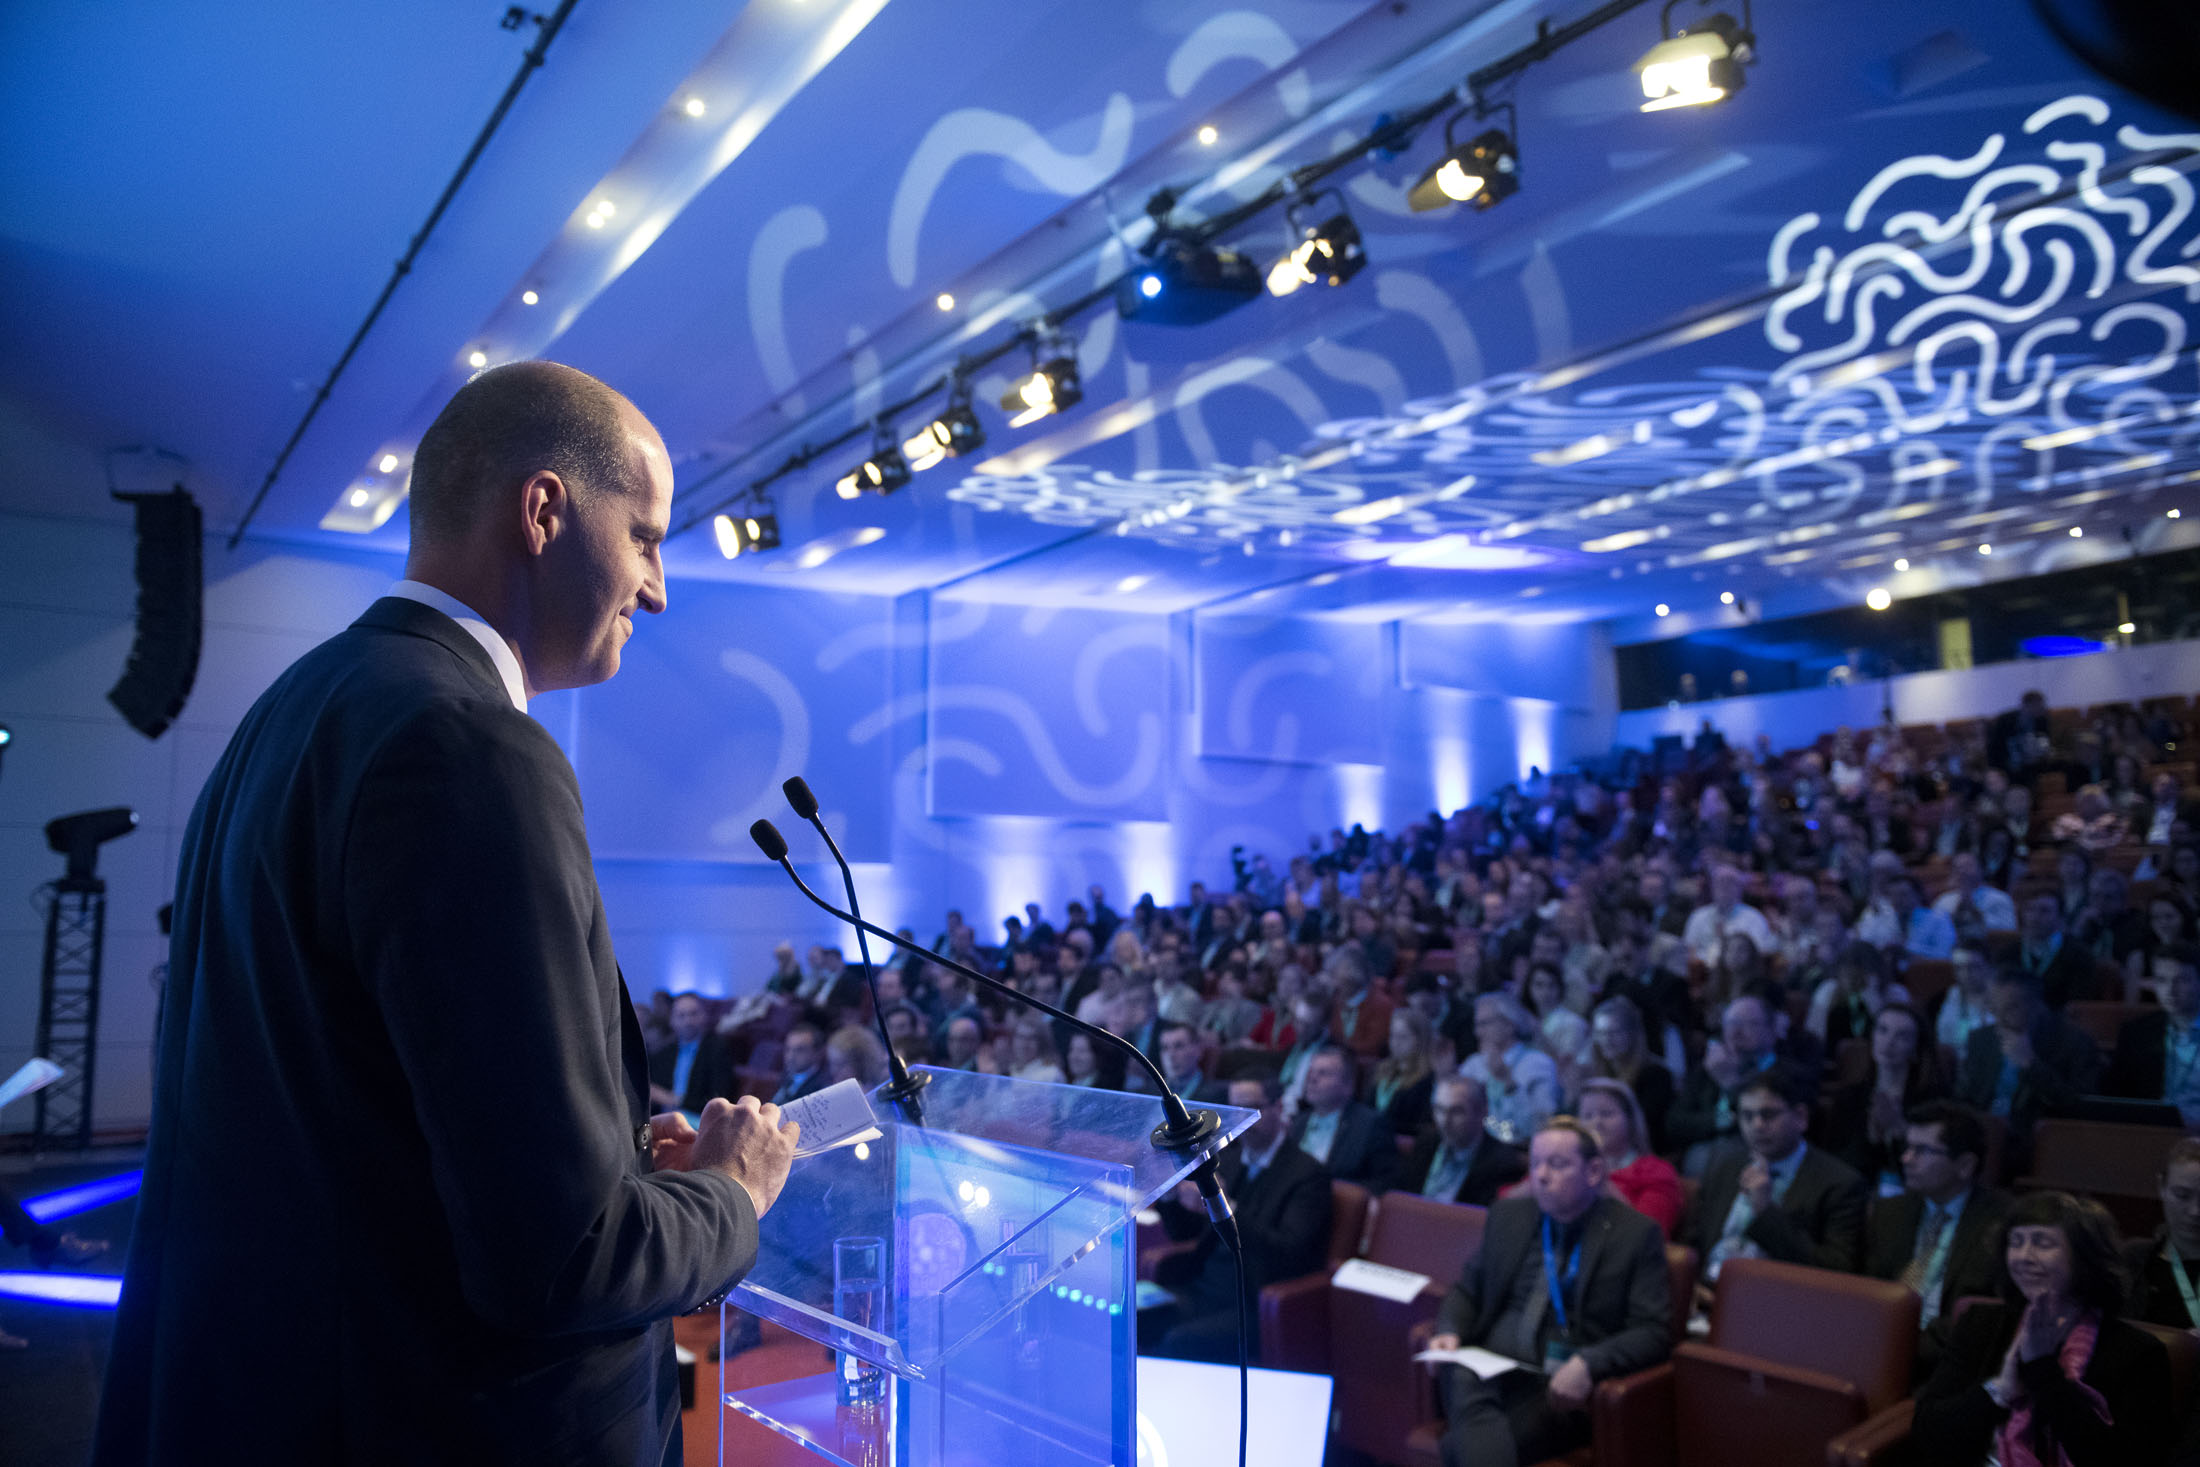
point(511, 423)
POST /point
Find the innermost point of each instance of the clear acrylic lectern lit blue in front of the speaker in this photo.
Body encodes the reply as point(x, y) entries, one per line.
point(976, 1279)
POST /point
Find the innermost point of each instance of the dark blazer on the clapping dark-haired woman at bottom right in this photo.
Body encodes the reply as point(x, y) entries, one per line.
point(2131, 1371)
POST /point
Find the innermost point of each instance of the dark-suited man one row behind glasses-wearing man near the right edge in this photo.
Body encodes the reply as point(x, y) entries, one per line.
point(2029, 1061)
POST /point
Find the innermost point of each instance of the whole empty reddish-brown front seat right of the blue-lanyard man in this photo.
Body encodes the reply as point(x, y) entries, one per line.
point(1794, 1358)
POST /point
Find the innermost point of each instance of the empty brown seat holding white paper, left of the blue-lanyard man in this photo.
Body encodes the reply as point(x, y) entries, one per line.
point(1365, 1343)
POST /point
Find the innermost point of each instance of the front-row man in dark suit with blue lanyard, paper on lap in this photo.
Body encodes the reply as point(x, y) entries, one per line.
point(1567, 1281)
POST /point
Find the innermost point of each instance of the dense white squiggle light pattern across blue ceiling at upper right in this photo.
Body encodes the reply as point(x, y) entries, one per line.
point(2025, 338)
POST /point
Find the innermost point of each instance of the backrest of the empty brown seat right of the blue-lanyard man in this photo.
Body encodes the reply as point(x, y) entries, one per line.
point(1853, 1330)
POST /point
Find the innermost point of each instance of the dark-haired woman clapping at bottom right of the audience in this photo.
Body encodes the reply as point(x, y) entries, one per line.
point(2049, 1376)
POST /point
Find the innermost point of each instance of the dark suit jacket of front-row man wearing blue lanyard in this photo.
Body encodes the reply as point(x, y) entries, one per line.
point(1622, 1299)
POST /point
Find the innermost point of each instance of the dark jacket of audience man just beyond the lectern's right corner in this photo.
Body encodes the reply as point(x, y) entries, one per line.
point(1284, 1222)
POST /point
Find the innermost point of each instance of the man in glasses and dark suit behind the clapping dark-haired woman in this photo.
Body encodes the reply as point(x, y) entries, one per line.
point(1941, 1233)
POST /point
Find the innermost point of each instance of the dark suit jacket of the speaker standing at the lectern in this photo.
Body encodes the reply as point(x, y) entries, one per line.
point(401, 1085)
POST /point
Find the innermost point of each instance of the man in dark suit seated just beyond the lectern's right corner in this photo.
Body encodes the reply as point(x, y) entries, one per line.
point(1281, 1202)
